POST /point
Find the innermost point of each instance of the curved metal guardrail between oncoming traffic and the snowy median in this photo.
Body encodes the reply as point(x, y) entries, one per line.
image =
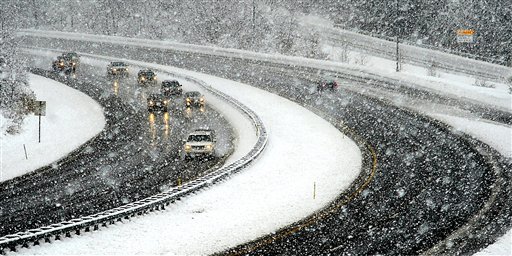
point(156, 202)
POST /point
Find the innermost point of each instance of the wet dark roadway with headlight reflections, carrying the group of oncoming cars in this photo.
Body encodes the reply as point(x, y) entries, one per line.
point(135, 156)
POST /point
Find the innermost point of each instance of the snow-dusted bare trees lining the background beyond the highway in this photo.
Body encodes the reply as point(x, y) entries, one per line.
point(271, 25)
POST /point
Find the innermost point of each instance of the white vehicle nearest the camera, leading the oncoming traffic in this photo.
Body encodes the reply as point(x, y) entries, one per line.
point(200, 142)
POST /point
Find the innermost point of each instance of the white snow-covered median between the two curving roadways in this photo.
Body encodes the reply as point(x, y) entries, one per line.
point(304, 152)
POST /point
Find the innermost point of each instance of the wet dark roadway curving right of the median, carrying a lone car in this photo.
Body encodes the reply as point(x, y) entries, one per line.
point(430, 182)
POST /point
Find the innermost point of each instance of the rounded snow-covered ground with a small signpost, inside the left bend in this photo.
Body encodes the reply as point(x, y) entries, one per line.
point(71, 119)
